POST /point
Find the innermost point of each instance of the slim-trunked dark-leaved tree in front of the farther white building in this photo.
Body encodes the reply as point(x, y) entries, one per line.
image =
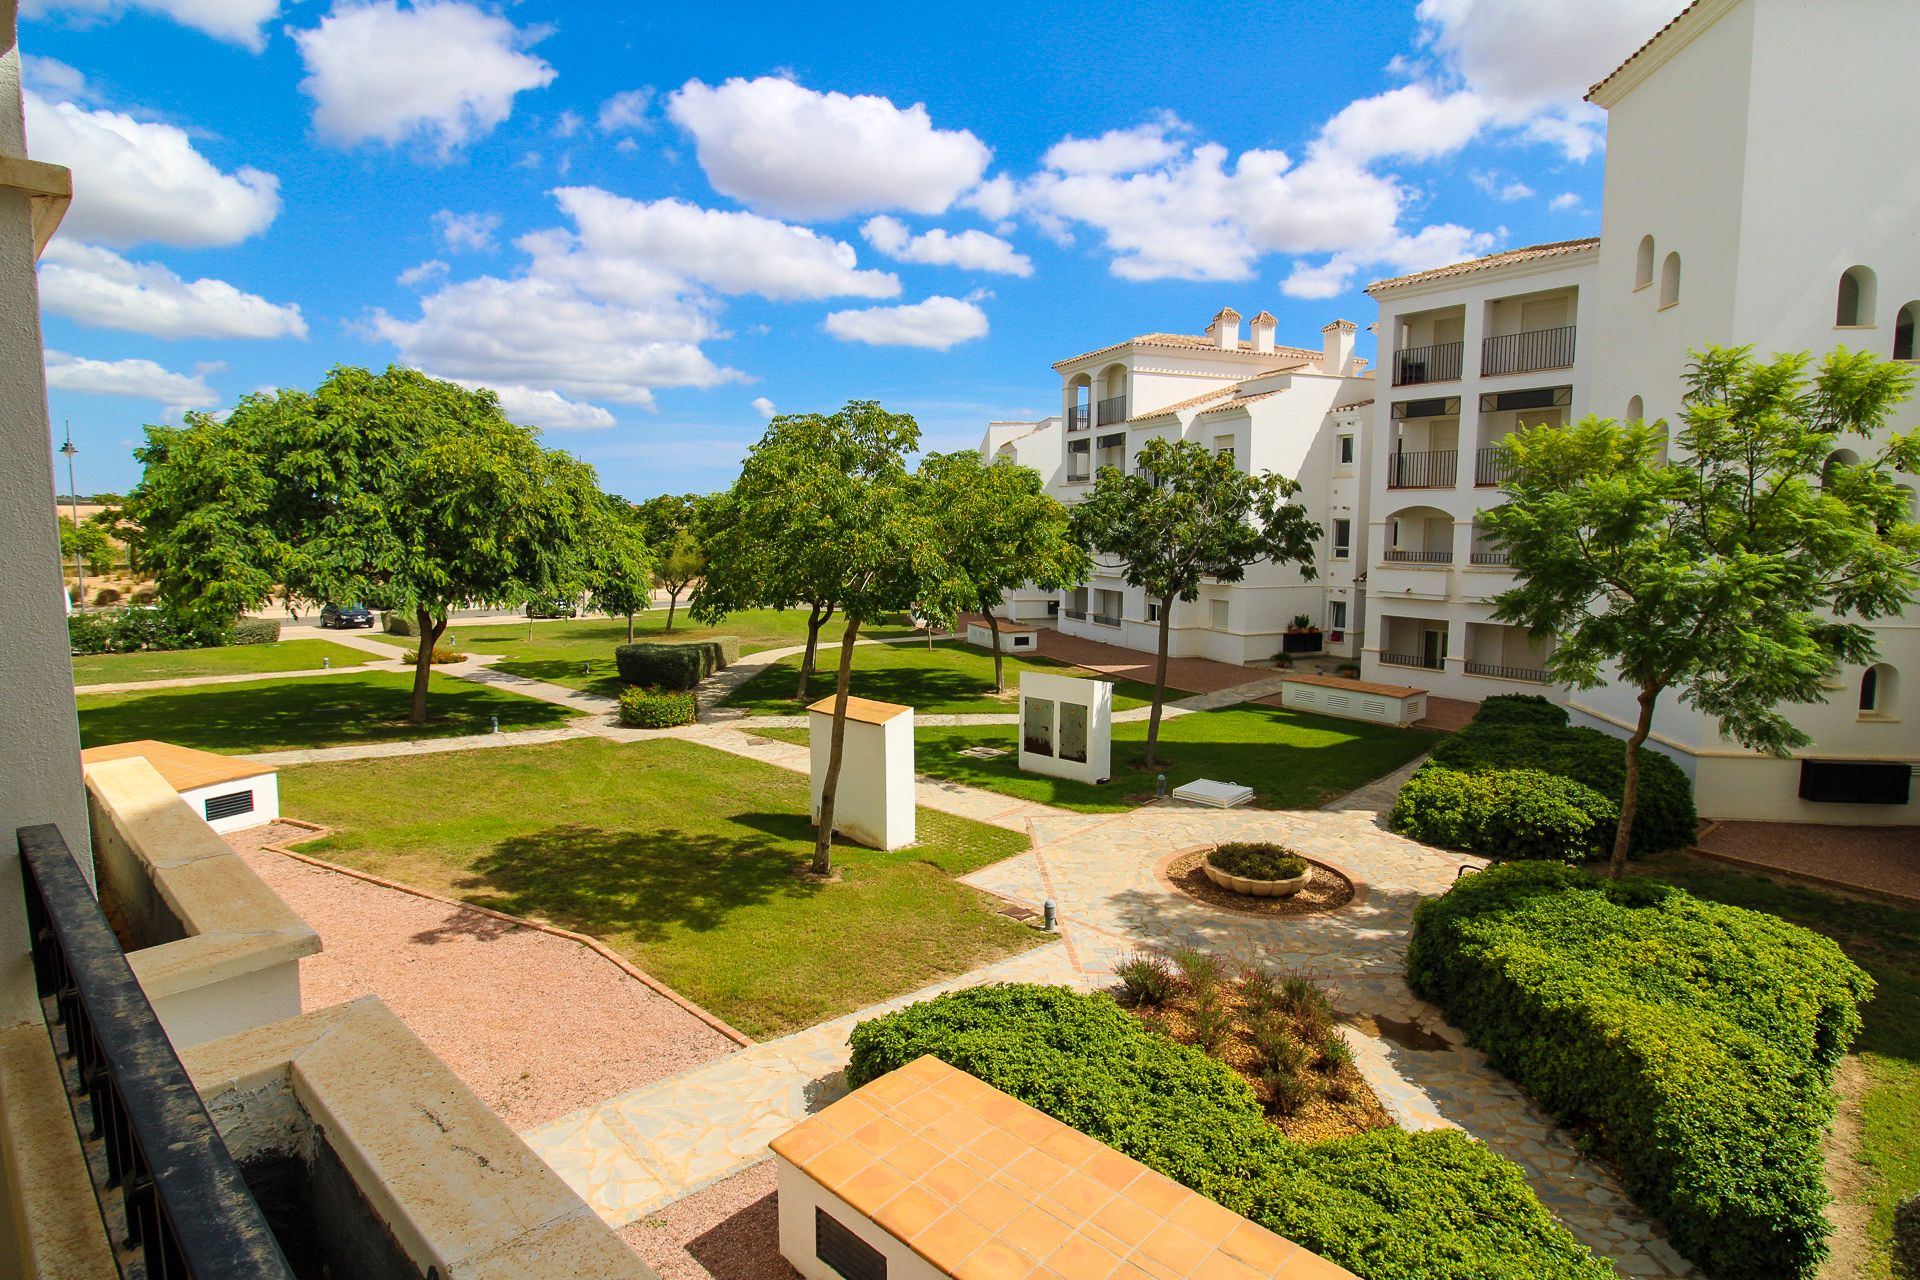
point(1186, 515)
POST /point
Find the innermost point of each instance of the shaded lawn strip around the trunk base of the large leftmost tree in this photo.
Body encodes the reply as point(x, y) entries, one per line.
point(314, 711)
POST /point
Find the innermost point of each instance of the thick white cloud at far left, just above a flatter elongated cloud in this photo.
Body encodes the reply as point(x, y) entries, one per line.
point(143, 181)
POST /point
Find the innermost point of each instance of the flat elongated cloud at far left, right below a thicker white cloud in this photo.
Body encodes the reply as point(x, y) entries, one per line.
point(99, 287)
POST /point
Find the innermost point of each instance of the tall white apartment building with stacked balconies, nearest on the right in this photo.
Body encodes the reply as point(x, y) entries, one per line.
point(1762, 189)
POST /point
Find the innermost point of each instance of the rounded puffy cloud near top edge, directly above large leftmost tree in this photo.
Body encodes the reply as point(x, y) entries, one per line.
point(441, 72)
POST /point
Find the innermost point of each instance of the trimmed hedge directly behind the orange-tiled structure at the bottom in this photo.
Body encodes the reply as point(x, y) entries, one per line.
point(1387, 1204)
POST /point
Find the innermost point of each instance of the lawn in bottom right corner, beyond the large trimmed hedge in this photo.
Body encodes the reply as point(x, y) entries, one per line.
point(1886, 943)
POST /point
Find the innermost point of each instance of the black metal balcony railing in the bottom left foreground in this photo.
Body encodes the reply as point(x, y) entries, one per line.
point(170, 1193)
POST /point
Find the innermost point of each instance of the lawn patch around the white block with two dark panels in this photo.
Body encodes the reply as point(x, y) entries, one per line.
point(1289, 759)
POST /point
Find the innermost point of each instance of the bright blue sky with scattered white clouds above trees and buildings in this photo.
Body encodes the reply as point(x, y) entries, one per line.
point(654, 225)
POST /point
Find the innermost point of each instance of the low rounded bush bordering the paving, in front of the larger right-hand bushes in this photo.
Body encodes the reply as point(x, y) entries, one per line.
point(1506, 815)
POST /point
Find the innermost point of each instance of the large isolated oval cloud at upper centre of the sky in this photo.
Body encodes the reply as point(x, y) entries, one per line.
point(794, 153)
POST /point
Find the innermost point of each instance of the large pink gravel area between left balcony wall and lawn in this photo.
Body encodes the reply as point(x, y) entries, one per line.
point(537, 1026)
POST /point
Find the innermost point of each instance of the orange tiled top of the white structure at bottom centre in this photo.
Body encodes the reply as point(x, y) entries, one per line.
point(982, 1185)
